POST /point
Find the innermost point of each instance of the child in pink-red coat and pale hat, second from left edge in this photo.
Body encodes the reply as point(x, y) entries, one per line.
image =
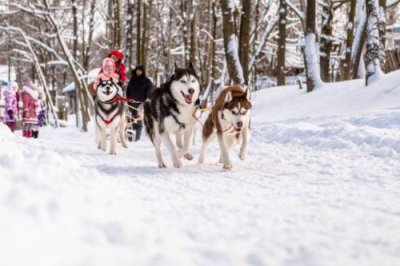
point(31, 109)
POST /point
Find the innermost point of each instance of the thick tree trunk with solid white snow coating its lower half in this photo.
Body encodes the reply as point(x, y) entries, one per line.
point(311, 59)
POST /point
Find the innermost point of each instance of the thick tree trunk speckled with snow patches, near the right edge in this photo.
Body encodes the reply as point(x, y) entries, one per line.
point(372, 55)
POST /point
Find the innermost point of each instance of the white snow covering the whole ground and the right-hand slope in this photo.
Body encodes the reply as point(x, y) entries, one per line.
point(320, 187)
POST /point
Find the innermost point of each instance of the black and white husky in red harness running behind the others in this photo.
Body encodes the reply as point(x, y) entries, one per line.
point(110, 114)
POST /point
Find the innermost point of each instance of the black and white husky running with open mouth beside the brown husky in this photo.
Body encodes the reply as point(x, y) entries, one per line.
point(171, 109)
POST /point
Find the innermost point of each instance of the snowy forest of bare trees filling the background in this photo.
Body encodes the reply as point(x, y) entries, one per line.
point(57, 42)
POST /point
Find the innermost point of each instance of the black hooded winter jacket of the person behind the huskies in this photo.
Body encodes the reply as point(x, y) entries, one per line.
point(139, 88)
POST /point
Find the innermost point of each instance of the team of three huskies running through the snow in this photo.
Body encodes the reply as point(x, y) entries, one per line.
point(173, 109)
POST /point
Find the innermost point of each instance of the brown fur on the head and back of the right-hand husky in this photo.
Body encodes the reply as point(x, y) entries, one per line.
point(238, 95)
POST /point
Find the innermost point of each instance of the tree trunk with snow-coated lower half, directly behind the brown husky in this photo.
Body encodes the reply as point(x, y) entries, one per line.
point(230, 42)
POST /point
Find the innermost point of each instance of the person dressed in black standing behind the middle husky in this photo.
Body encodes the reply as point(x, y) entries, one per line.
point(138, 90)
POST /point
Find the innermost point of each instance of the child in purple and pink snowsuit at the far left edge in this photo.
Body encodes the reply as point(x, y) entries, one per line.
point(11, 106)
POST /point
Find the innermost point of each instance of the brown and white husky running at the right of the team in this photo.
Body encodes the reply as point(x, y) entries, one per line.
point(229, 120)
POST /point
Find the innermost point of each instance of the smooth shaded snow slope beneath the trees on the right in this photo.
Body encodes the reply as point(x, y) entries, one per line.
point(333, 99)
